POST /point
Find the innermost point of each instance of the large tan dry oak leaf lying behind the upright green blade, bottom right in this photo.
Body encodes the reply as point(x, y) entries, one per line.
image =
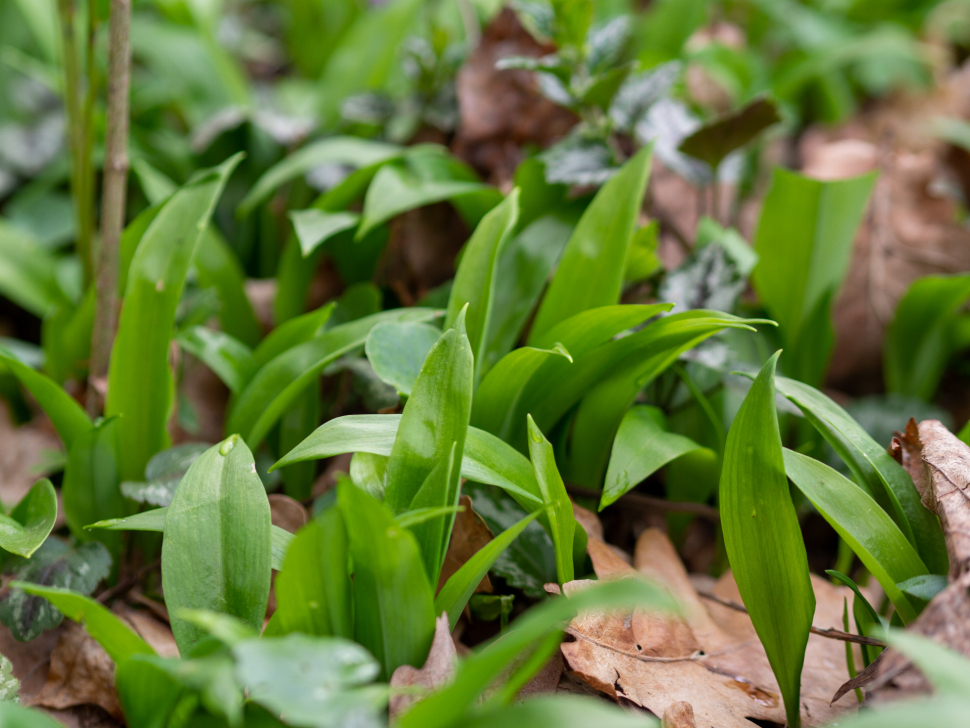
point(708, 657)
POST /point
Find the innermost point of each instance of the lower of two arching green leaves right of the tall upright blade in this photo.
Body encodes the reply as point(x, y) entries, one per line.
point(860, 521)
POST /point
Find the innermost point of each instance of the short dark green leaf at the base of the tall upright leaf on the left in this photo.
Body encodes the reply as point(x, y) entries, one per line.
point(91, 489)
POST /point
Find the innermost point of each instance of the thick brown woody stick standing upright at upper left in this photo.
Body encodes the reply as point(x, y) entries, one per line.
point(112, 196)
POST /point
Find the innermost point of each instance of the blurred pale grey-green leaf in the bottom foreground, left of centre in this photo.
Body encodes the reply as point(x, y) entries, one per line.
point(316, 682)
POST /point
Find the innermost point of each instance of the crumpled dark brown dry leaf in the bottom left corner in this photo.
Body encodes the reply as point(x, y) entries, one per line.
point(81, 673)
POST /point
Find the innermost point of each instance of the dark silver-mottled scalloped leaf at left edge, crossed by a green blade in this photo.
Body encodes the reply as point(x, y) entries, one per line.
point(53, 564)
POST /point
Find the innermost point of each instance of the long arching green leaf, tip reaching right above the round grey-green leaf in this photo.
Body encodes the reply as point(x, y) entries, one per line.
point(278, 384)
